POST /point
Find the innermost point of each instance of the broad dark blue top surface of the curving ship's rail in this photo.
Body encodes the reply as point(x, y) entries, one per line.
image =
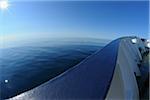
point(90, 79)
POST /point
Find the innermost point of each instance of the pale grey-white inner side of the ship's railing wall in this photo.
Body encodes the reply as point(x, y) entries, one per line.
point(124, 84)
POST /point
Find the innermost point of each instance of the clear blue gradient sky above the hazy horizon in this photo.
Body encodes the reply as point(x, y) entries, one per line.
point(97, 19)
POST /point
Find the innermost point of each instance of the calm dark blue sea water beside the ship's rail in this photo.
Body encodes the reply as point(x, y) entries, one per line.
point(27, 66)
